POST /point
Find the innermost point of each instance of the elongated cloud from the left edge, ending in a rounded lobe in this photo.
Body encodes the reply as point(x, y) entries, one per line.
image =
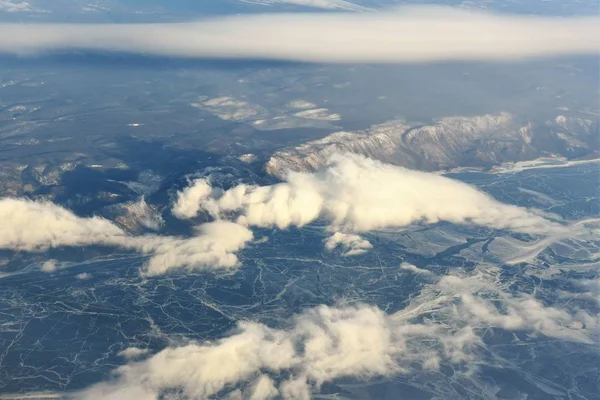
point(38, 226)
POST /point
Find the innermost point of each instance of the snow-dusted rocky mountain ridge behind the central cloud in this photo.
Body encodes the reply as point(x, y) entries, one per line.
point(481, 141)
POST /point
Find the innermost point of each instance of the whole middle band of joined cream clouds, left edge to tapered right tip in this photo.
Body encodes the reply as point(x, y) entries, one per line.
point(355, 194)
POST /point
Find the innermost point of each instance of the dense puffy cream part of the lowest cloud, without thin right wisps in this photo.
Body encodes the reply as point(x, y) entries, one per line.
point(322, 344)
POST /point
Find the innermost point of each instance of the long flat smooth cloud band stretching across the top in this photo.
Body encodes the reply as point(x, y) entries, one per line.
point(411, 34)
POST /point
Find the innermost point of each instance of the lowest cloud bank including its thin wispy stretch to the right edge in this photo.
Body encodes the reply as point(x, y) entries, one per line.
point(362, 342)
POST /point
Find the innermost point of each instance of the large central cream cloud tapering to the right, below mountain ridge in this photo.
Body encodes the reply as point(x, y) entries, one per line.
point(358, 194)
